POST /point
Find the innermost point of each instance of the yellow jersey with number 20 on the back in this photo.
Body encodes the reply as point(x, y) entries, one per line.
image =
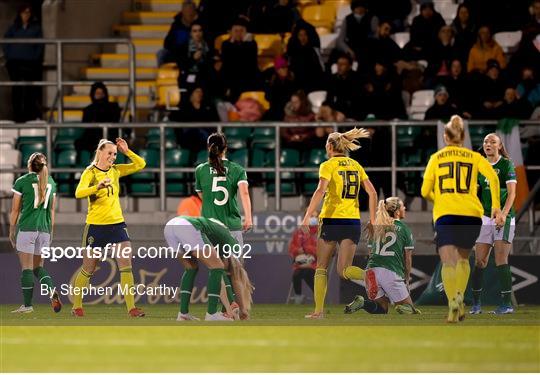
point(450, 181)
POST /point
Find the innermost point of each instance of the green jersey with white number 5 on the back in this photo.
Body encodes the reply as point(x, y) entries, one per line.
point(219, 192)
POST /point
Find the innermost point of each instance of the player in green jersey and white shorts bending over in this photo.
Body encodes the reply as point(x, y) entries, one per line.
point(204, 240)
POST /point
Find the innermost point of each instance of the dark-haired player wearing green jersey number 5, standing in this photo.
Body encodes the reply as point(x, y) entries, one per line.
point(218, 182)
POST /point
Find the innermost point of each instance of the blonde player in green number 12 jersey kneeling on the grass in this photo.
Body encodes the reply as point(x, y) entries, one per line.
point(389, 266)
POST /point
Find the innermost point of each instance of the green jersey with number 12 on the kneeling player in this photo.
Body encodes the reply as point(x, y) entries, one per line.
point(390, 252)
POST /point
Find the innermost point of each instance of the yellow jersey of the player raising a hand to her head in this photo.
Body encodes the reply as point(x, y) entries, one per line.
point(104, 204)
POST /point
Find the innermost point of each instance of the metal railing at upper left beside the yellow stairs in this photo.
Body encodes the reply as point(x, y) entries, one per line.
point(60, 83)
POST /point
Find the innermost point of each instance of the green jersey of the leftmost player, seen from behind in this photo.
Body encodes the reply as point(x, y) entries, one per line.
point(34, 216)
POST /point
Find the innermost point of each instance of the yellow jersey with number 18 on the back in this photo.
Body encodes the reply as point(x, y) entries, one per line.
point(345, 176)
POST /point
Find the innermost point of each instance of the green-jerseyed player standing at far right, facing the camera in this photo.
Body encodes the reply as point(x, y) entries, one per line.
point(500, 238)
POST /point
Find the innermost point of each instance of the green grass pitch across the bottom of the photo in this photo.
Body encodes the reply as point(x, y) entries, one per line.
point(278, 338)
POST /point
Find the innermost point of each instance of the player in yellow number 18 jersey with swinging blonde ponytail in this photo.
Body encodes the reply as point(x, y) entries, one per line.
point(340, 179)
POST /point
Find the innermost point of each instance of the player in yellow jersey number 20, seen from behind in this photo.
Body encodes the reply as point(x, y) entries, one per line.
point(450, 181)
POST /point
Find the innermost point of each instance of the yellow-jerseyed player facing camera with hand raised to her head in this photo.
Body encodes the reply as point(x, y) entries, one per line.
point(105, 222)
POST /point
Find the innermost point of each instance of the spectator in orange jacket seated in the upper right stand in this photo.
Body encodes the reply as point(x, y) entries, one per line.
point(485, 48)
